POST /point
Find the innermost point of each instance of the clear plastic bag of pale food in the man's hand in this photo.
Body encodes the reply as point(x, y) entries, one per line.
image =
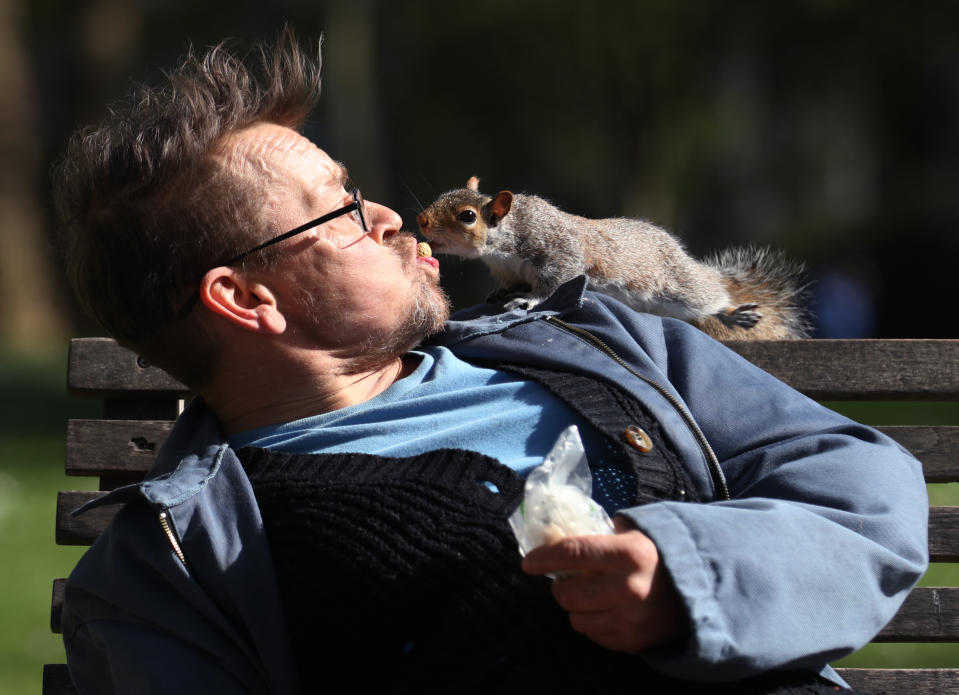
point(557, 501)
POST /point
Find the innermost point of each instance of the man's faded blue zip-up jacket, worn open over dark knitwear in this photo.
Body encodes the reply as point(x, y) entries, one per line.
point(816, 534)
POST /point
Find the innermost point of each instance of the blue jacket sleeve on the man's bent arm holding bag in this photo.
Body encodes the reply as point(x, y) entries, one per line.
point(824, 536)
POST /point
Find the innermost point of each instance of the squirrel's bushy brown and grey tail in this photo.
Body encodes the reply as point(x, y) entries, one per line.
point(769, 280)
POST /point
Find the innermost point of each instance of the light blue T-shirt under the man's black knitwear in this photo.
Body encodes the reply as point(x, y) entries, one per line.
point(444, 404)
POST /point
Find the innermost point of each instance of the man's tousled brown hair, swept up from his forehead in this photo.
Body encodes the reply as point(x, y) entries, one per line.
point(145, 208)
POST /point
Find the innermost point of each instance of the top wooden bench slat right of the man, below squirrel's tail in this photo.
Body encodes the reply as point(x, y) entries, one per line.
point(861, 369)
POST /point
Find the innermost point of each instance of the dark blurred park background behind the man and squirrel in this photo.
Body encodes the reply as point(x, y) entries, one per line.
point(827, 128)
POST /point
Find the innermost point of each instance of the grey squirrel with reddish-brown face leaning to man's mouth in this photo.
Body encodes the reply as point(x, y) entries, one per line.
point(532, 247)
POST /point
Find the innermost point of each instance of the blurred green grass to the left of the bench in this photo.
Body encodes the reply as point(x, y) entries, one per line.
point(33, 413)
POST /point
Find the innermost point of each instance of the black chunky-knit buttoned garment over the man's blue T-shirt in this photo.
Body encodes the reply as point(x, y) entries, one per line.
point(408, 567)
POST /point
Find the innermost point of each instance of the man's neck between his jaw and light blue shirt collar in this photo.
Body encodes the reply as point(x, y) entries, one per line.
point(294, 390)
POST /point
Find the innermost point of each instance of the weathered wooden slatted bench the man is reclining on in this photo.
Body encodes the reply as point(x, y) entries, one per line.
point(140, 402)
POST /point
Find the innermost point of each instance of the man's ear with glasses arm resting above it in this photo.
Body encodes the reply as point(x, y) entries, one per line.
point(250, 305)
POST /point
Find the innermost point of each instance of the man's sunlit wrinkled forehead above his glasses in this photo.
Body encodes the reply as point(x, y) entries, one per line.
point(280, 154)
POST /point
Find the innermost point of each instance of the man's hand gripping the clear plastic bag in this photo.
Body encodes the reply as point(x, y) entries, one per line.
point(622, 597)
